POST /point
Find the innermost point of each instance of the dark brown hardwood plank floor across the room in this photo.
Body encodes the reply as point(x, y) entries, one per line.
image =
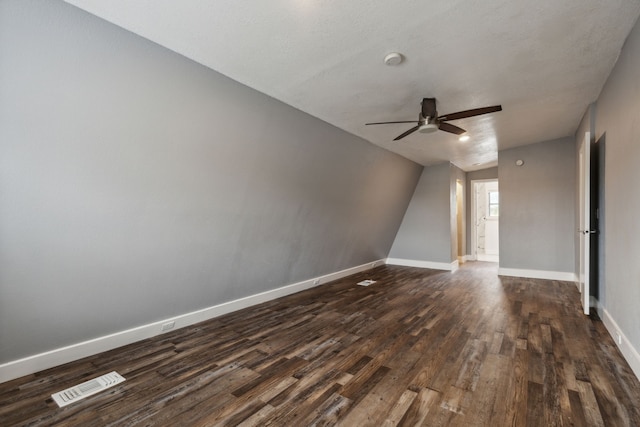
point(419, 347)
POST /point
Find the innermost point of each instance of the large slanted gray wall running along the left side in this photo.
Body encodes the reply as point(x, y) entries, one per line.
point(136, 185)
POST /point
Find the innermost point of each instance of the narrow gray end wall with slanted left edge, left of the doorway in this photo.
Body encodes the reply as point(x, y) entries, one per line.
point(425, 233)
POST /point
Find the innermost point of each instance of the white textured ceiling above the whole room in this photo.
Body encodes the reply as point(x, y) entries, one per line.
point(545, 61)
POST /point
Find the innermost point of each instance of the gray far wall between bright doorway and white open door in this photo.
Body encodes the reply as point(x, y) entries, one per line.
point(537, 206)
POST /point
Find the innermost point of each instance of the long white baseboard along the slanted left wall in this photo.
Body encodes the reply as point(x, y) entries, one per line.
point(59, 356)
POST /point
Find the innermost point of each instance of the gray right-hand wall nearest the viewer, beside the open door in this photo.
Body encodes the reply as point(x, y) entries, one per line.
point(618, 119)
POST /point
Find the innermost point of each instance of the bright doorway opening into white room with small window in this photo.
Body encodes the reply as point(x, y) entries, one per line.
point(485, 212)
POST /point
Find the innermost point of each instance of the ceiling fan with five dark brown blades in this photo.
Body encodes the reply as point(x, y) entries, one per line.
point(429, 121)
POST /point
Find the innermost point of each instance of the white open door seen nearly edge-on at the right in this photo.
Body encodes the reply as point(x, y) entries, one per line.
point(584, 195)
